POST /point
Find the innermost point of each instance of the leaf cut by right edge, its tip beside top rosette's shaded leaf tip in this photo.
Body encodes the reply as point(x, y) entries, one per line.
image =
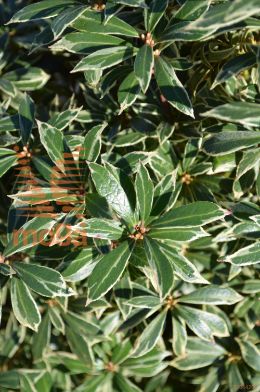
point(244, 113)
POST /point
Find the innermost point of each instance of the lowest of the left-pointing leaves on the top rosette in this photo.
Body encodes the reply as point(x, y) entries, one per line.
point(105, 58)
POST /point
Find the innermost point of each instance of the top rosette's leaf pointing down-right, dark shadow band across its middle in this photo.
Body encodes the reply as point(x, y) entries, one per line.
point(171, 88)
